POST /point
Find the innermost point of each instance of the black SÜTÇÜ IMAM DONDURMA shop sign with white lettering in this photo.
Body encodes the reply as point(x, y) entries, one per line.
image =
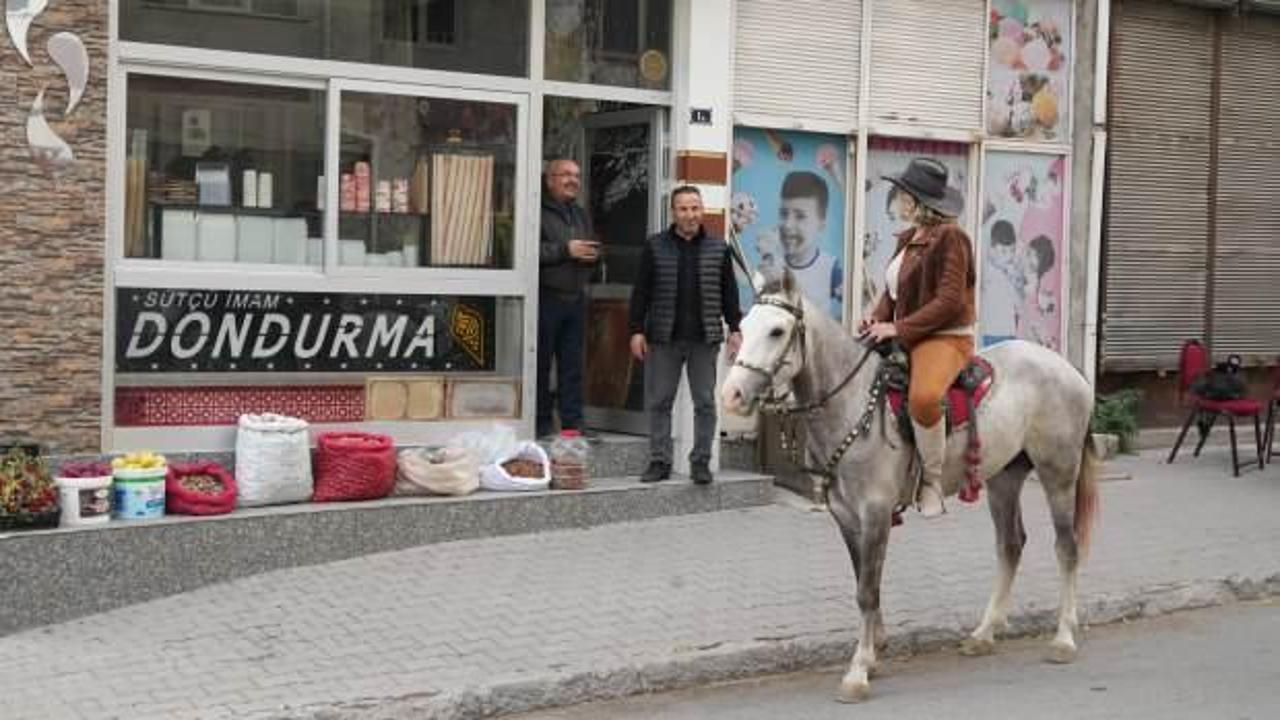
point(218, 331)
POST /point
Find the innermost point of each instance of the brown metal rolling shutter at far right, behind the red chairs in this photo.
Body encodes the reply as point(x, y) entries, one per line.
point(1247, 254)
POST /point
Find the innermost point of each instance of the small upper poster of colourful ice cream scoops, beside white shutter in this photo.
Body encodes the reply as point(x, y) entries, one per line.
point(1028, 93)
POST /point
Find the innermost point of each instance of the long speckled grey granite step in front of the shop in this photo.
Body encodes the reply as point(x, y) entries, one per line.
point(57, 576)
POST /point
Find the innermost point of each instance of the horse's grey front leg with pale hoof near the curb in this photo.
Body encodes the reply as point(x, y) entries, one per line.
point(875, 523)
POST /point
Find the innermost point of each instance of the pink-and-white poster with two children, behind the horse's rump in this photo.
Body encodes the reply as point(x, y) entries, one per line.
point(1022, 249)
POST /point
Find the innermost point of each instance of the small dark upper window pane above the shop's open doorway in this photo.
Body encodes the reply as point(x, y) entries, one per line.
point(624, 43)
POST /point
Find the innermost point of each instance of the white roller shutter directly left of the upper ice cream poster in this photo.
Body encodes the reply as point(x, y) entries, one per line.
point(927, 62)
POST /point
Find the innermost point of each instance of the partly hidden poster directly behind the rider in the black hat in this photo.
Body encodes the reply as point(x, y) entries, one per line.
point(890, 157)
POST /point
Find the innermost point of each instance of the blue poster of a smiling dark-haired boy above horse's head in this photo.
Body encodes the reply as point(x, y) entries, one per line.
point(788, 209)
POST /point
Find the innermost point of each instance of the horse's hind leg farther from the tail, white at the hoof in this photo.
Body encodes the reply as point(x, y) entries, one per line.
point(1004, 499)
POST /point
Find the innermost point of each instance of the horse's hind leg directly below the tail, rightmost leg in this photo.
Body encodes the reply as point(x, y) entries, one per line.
point(1060, 490)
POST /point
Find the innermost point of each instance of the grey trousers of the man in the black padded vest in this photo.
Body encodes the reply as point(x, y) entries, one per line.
point(661, 382)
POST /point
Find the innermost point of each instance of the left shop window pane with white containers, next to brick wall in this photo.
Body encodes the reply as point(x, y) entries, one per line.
point(223, 172)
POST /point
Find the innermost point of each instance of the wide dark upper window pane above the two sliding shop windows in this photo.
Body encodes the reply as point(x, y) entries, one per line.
point(474, 37)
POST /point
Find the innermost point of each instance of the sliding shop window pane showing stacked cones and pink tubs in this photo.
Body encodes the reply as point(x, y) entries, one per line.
point(427, 183)
